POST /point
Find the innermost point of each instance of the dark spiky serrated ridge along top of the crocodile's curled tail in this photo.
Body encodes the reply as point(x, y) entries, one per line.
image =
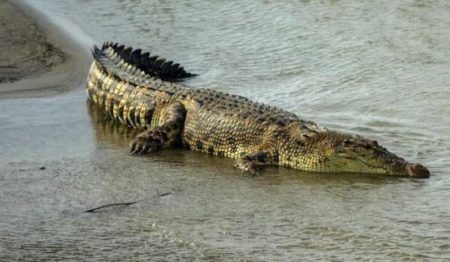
point(153, 66)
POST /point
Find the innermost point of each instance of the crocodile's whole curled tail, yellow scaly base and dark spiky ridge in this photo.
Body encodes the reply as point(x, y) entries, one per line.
point(121, 81)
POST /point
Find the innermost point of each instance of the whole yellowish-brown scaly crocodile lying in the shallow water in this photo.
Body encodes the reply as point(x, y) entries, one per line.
point(146, 92)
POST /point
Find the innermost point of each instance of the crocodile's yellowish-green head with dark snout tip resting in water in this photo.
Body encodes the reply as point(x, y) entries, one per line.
point(335, 152)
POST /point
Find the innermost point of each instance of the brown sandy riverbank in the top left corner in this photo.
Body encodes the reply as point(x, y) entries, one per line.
point(36, 58)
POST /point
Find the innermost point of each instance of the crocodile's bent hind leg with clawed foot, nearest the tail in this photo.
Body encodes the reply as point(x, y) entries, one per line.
point(171, 120)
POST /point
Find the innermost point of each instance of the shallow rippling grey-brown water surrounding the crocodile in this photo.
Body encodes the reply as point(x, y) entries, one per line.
point(376, 68)
